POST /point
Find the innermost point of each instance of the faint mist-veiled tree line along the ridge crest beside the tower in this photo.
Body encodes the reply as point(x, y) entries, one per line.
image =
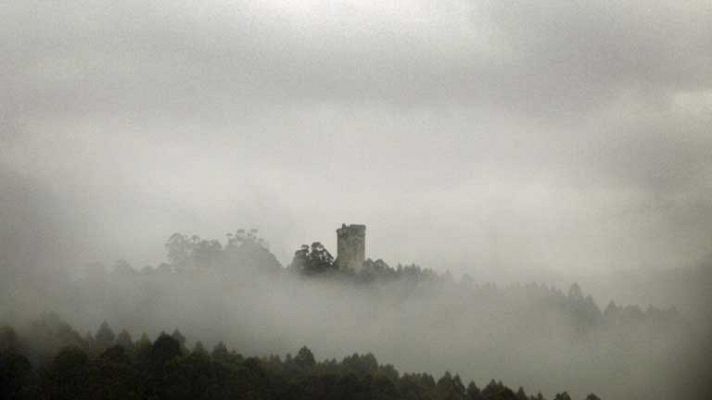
point(245, 255)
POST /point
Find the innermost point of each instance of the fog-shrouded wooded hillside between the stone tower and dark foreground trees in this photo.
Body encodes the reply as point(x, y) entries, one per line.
point(537, 336)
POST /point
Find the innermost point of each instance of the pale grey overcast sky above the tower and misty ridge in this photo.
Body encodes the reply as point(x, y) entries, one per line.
point(470, 135)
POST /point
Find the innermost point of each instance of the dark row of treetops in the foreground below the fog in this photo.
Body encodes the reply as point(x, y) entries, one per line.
point(106, 365)
